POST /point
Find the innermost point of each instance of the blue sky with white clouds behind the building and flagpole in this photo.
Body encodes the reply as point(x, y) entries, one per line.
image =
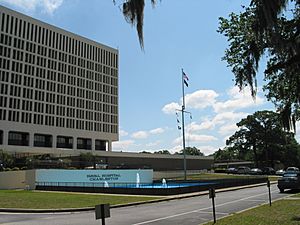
point(177, 34)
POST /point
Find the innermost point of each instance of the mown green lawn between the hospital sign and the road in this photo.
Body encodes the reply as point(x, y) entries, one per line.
point(50, 200)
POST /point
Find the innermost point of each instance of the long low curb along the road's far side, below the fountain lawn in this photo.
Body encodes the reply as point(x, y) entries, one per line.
point(174, 197)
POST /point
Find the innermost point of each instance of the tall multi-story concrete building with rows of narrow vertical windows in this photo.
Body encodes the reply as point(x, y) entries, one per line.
point(58, 90)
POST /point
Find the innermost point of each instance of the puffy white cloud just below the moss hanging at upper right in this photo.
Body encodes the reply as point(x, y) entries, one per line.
point(238, 100)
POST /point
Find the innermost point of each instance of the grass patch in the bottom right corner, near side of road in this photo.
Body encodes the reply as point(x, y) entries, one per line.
point(280, 213)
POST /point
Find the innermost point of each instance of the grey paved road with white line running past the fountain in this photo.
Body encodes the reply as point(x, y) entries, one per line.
point(189, 211)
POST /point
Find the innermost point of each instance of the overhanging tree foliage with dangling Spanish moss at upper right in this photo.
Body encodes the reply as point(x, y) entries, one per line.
point(264, 28)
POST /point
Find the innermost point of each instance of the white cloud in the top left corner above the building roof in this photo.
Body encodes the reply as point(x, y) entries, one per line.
point(49, 6)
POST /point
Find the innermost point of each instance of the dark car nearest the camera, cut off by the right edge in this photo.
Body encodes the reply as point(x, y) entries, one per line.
point(289, 180)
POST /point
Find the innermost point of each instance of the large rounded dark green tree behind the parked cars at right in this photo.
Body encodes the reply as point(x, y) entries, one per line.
point(261, 138)
